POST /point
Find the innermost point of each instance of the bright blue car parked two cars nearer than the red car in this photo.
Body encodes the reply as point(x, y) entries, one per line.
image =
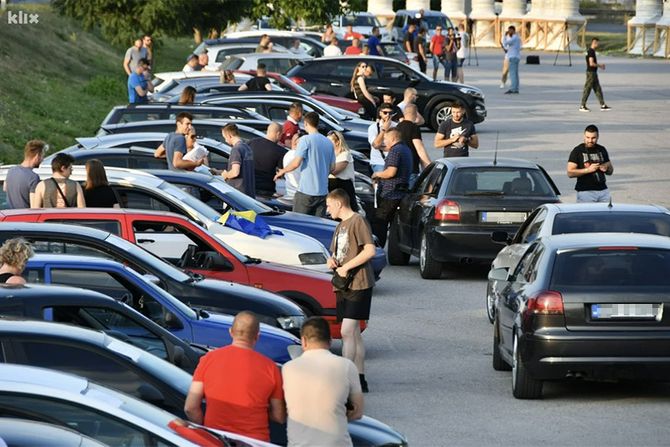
point(123, 283)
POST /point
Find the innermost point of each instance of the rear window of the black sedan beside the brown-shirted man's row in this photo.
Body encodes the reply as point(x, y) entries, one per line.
point(492, 180)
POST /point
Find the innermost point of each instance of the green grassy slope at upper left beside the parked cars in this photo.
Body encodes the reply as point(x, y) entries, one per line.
point(58, 81)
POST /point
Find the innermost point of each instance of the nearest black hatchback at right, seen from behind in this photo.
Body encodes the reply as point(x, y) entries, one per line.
point(586, 305)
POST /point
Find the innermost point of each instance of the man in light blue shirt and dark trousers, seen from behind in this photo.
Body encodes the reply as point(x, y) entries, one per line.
point(315, 156)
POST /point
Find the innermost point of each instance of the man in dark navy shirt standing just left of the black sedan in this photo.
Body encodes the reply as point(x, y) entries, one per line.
point(393, 182)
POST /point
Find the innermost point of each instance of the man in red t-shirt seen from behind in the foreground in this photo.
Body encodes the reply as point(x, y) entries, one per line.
point(242, 388)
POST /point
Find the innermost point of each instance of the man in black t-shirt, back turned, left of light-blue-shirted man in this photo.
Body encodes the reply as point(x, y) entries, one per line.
point(268, 158)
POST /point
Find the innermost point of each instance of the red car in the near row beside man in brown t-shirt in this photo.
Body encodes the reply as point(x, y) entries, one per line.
point(162, 232)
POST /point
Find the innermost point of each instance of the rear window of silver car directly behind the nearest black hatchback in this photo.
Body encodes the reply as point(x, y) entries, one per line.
point(612, 222)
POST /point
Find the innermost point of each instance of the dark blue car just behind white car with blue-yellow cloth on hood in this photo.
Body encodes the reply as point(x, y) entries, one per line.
point(216, 193)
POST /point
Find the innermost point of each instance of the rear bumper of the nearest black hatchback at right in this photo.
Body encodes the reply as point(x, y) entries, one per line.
point(617, 355)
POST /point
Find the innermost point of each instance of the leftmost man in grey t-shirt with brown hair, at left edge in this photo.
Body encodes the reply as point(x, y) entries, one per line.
point(21, 179)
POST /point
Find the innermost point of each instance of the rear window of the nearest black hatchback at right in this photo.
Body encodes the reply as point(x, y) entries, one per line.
point(637, 267)
